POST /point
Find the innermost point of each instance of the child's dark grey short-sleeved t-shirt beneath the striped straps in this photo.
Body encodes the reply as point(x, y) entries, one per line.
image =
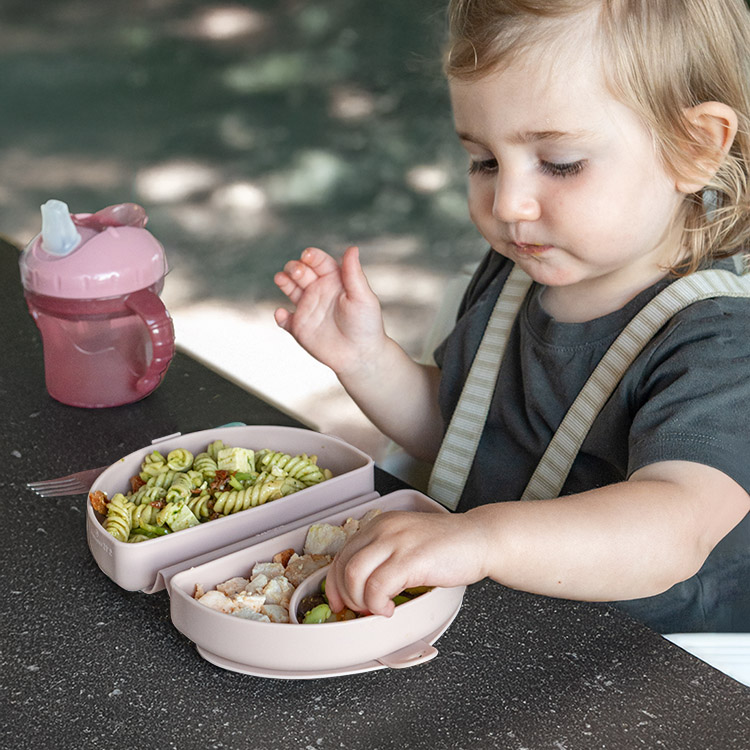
point(686, 397)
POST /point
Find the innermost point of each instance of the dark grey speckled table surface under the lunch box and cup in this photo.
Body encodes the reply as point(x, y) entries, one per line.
point(85, 664)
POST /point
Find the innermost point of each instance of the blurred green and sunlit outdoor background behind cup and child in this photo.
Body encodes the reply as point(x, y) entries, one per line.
point(248, 130)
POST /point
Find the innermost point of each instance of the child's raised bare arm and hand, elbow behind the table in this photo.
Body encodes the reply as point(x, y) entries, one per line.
point(338, 320)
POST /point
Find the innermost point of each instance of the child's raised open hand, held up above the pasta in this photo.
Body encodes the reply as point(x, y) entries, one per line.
point(337, 317)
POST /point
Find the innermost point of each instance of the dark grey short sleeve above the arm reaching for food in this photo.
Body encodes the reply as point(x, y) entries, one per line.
point(692, 399)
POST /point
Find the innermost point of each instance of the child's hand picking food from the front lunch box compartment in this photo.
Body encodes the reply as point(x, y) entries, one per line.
point(399, 550)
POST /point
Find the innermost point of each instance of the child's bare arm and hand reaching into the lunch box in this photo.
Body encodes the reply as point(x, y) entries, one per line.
point(624, 541)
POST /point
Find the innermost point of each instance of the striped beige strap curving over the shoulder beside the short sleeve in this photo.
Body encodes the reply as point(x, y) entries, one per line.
point(552, 471)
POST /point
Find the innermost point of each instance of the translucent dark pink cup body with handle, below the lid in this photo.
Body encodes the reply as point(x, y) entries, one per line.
point(103, 352)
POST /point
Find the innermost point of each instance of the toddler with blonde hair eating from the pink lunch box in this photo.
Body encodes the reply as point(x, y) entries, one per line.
point(609, 148)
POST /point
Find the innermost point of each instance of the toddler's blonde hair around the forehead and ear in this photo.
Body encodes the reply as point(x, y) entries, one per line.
point(659, 57)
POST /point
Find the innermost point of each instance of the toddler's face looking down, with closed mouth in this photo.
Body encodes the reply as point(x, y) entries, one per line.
point(564, 179)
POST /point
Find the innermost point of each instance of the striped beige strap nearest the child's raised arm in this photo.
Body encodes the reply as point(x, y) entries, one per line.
point(459, 445)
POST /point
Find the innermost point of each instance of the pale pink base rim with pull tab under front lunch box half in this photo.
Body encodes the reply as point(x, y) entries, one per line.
point(410, 656)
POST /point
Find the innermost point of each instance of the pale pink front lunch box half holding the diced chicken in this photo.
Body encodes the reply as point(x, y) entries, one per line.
point(307, 651)
